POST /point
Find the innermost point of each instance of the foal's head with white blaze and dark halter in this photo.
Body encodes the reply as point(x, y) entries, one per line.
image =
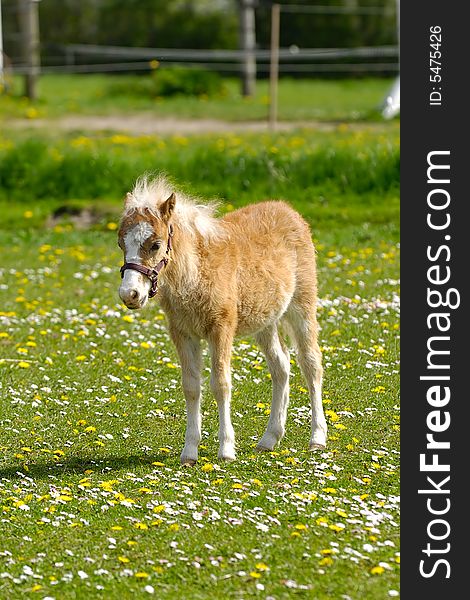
point(144, 237)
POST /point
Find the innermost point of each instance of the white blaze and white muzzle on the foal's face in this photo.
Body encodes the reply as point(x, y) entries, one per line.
point(133, 281)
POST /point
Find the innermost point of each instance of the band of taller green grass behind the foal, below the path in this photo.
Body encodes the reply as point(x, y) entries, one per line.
point(334, 177)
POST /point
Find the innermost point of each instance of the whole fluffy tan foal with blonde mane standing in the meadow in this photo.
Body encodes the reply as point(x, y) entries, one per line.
point(241, 274)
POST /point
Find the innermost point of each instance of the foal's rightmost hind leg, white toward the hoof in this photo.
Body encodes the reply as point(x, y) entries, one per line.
point(304, 327)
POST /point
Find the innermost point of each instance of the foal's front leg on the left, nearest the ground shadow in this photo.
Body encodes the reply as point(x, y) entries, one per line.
point(189, 351)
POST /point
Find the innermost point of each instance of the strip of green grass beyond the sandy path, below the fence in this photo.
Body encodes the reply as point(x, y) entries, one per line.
point(316, 99)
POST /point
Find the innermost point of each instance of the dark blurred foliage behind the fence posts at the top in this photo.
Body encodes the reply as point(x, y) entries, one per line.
point(198, 24)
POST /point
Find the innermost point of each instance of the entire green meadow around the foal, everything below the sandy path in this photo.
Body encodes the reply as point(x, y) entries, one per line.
point(93, 500)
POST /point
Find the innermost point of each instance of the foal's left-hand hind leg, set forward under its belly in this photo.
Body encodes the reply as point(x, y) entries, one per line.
point(277, 359)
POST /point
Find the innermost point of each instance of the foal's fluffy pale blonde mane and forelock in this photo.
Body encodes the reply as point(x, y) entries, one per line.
point(191, 215)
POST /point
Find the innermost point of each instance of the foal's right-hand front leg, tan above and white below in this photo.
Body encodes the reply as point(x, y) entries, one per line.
point(220, 345)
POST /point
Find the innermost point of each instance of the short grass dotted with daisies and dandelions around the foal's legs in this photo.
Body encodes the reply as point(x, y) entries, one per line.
point(87, 381)
